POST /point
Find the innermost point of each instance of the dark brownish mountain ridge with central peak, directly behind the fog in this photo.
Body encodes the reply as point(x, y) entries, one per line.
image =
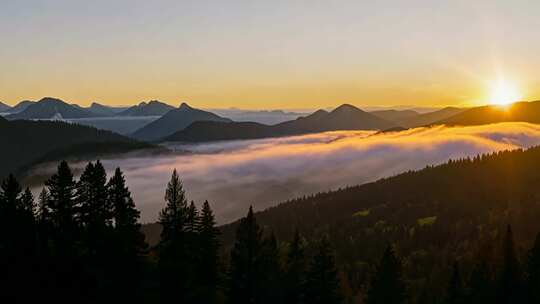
point(344, 117)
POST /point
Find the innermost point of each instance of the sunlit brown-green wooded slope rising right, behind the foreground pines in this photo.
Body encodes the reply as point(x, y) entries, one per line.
point(458, 210)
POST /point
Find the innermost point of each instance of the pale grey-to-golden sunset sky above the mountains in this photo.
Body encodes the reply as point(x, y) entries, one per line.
point(268, 54)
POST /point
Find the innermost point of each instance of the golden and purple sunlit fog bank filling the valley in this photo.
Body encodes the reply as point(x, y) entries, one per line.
point(232, 175)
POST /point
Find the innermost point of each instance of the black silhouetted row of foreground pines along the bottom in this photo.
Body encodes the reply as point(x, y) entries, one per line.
point(81, 241)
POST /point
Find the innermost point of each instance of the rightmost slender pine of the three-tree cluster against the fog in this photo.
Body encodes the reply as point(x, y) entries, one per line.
point(208, 265)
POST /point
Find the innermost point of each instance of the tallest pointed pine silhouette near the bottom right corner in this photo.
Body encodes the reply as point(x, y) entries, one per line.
point(510, 278)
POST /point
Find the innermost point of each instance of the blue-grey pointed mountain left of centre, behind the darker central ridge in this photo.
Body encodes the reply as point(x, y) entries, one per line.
point(173, 121)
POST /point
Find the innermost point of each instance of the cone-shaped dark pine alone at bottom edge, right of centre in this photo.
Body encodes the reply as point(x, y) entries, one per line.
point(387, 286)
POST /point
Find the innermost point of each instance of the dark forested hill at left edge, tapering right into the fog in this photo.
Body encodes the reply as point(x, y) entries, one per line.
point(26, 143)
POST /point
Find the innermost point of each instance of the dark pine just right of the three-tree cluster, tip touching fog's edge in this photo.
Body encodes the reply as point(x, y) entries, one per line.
point(245, 275)
